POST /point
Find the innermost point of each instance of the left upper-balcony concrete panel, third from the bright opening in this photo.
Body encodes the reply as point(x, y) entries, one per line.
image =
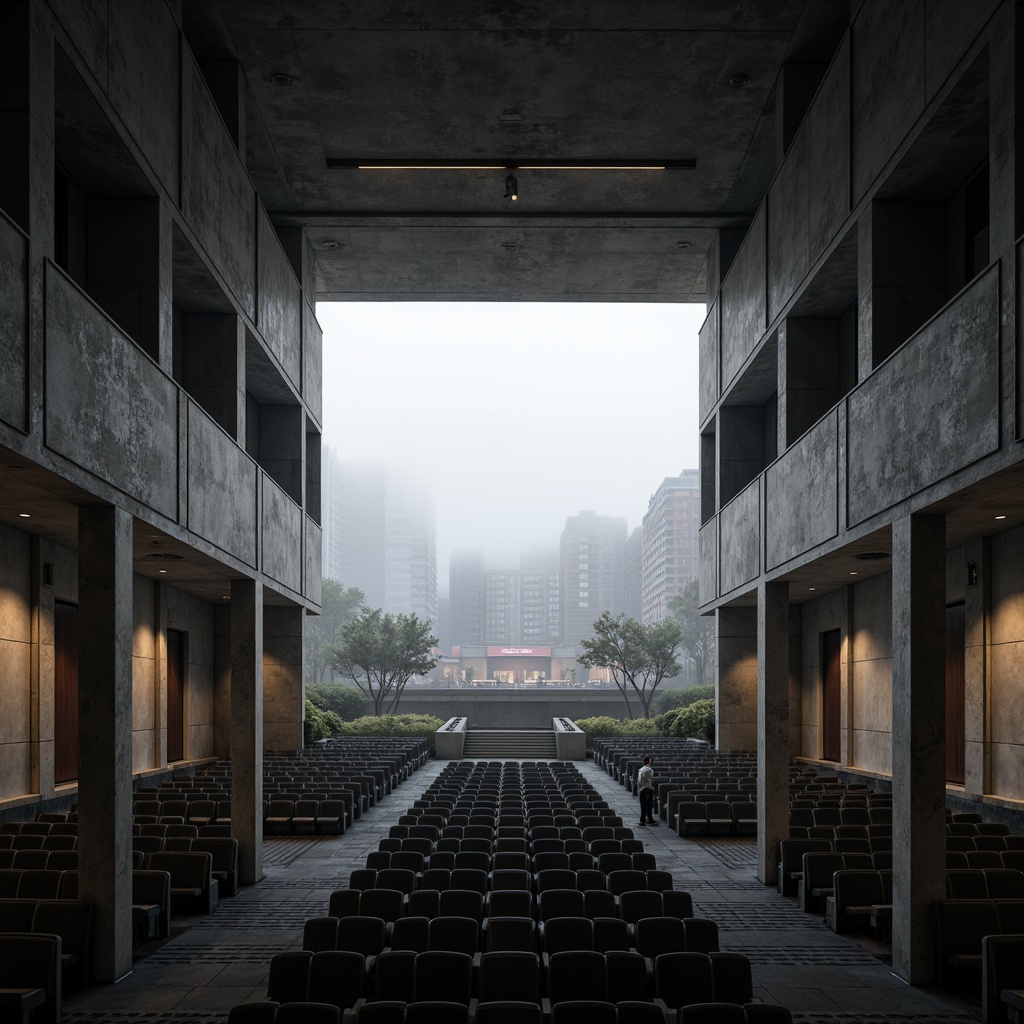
point(217, 195)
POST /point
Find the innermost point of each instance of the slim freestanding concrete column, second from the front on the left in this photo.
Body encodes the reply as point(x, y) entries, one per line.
point(247, 727)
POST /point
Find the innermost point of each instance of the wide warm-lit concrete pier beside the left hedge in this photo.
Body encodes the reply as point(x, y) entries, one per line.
point(283, 675)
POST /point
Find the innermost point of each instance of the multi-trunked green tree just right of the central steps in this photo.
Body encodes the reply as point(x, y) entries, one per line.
point(641, 658)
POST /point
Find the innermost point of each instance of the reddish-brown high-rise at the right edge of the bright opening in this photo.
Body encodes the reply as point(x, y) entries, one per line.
point(670, 543)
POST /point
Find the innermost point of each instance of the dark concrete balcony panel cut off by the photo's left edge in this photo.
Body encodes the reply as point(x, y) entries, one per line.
point(14, 325)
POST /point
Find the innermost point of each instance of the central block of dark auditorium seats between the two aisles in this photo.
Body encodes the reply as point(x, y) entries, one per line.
point(472, 915)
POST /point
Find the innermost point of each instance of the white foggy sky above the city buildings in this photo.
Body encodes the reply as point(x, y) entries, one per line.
point(520, 414)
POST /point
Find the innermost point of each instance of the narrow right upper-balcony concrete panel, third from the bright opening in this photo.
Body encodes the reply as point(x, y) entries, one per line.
point(788, 227)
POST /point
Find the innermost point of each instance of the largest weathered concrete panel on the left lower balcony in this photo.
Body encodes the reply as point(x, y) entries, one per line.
point(109, 407)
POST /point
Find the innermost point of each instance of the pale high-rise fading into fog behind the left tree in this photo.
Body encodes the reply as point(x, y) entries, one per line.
point(380, 536)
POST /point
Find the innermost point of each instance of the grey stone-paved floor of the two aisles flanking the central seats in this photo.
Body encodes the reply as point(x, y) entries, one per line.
point(212, 963)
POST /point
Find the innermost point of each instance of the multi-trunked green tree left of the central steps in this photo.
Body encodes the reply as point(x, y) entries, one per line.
point(382, 652)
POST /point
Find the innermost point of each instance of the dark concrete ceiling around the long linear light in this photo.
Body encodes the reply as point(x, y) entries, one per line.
point(511, 83)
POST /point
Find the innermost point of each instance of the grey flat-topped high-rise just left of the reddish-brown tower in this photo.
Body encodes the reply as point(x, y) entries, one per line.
point(593, 573)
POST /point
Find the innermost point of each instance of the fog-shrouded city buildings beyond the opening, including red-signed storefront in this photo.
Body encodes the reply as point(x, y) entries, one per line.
point(516, 626)
